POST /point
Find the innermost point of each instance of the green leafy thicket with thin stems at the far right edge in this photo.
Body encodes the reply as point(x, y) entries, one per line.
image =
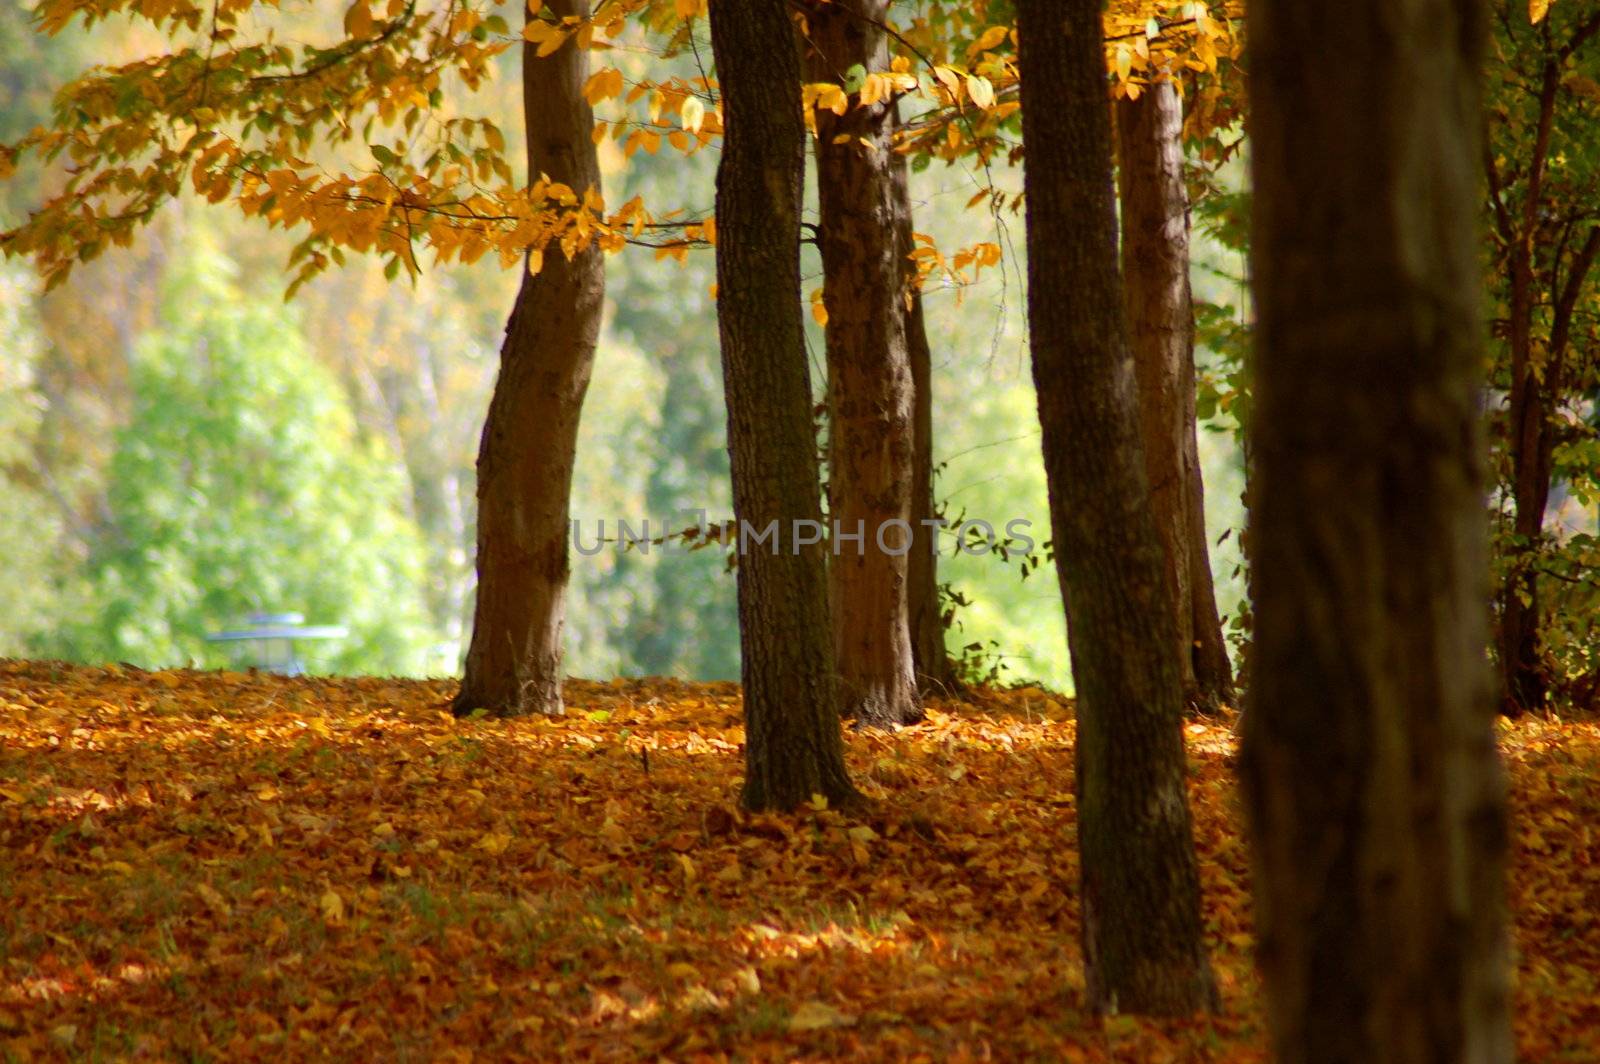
point(1545, 186)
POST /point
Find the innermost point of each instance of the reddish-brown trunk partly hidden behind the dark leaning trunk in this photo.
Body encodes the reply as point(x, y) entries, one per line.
point(1161, 324)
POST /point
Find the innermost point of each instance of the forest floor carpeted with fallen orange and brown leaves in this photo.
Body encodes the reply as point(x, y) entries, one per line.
point(225, 866)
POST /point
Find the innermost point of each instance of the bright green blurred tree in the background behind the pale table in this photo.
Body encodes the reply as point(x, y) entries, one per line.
point(239, 486)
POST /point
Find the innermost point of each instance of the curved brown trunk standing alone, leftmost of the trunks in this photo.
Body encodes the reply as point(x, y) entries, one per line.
point(530, 439)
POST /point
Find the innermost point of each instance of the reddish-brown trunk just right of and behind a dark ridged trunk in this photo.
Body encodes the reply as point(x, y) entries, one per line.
point(870, 375)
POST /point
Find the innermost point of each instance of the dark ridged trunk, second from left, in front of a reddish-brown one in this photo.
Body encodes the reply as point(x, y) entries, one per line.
point(793, 746)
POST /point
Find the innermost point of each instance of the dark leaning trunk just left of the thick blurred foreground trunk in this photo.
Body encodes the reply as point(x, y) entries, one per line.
point(1140, 887)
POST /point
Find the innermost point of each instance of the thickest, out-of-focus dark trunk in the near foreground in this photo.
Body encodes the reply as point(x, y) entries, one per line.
point(1369, 753)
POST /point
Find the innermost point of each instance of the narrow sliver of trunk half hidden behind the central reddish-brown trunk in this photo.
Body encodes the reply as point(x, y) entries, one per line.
point(930, 660)
